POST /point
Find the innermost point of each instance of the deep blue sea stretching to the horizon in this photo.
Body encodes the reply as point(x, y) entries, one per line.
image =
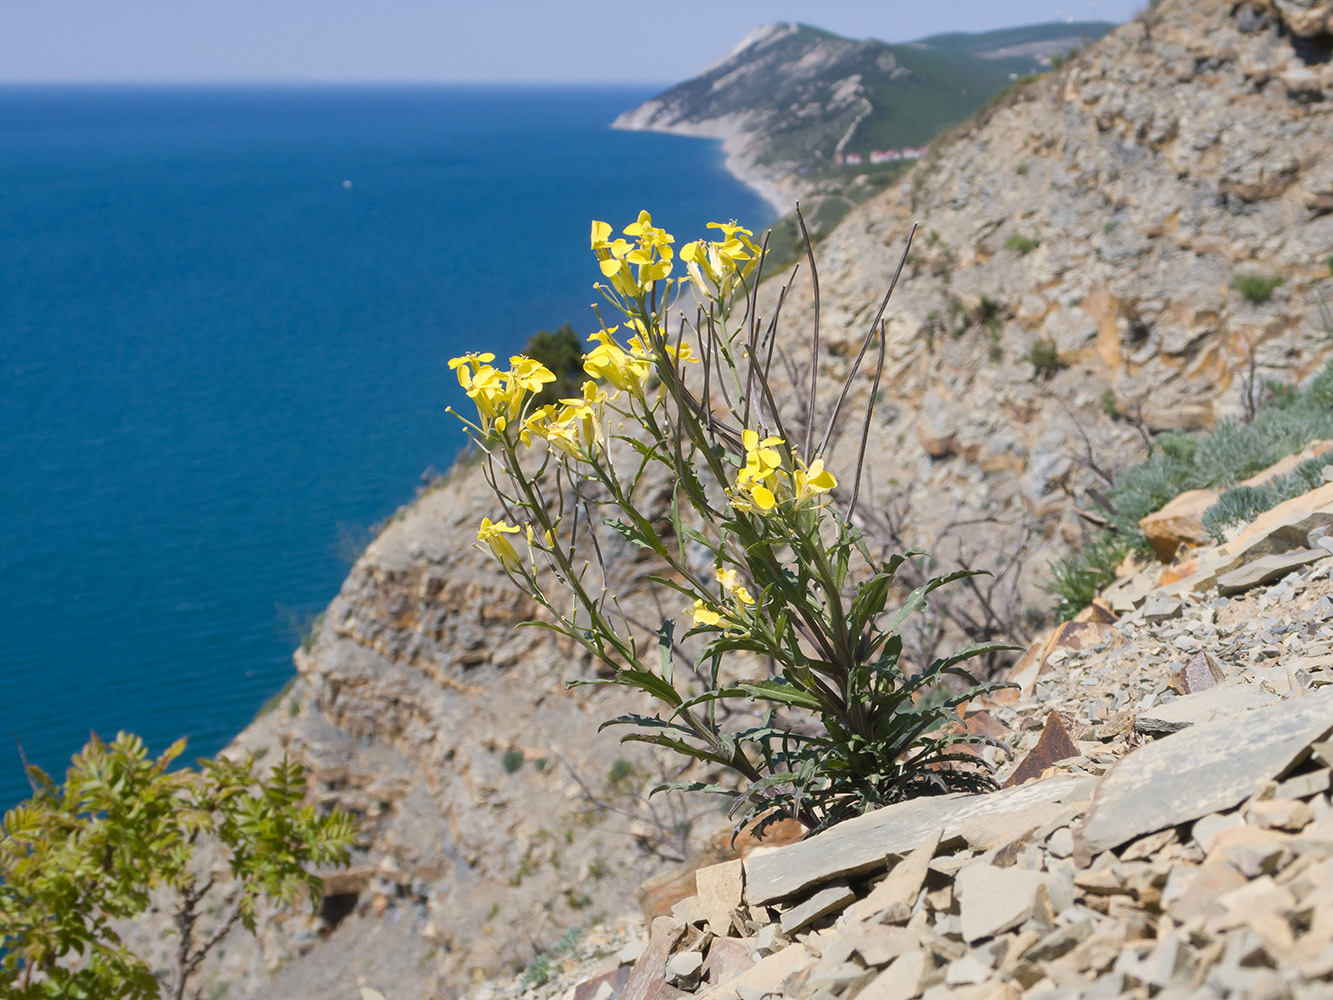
point(225, 323)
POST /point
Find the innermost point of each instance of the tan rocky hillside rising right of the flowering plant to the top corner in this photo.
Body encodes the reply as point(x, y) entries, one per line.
point(1095, 222)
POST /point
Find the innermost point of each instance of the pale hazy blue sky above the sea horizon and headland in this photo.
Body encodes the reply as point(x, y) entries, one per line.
point(451, 41)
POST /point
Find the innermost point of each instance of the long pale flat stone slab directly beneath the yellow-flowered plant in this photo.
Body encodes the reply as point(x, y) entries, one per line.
point(864, 843)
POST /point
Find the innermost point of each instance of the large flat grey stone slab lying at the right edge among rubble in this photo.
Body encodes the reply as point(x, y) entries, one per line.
point(1202, 770)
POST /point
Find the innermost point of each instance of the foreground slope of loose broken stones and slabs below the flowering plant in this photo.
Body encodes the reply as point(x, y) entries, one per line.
point(1166, 829)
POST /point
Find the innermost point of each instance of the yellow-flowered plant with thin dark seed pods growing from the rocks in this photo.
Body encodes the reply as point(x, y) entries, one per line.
point(759, 542)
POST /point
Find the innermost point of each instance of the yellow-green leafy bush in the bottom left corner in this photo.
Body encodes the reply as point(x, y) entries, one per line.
point(78, 858)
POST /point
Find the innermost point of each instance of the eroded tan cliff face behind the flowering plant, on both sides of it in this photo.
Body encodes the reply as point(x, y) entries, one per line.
point(1186, 149)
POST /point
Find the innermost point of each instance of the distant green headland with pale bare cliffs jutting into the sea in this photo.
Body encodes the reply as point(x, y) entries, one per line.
point(790, 101)
